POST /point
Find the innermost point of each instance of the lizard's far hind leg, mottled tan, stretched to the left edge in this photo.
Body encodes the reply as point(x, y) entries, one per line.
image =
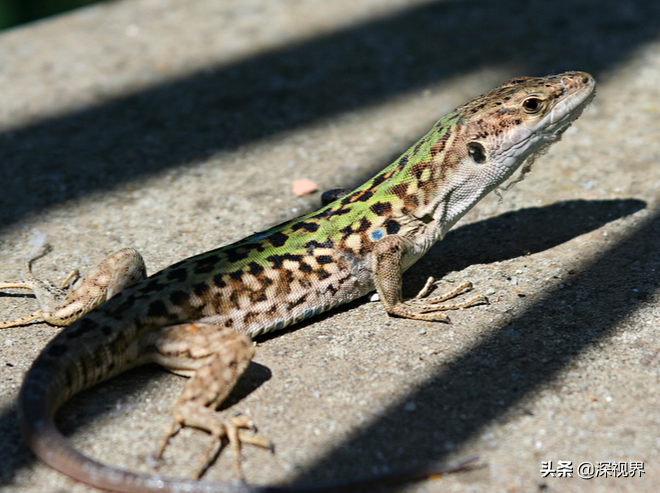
point(59, 306)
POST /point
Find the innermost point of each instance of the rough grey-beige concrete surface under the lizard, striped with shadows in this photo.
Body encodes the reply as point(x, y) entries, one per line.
point(175, 126)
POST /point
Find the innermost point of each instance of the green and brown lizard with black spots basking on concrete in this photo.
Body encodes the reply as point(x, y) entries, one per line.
point(198, 315)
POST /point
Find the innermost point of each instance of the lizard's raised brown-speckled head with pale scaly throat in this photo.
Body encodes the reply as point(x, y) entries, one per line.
point(502, 130)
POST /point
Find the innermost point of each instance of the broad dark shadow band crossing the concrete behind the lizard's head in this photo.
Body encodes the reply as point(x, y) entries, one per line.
point(223, 107)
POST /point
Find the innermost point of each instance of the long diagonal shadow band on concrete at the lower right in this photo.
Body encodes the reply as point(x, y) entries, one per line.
point(486, 384)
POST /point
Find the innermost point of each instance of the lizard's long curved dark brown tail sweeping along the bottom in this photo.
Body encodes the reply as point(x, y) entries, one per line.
point(62, 370)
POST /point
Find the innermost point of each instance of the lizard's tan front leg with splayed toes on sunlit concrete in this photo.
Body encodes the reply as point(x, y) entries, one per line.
point(387, 268)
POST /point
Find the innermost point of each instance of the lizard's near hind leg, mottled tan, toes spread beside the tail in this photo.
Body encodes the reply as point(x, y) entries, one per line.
point(218, 357)
